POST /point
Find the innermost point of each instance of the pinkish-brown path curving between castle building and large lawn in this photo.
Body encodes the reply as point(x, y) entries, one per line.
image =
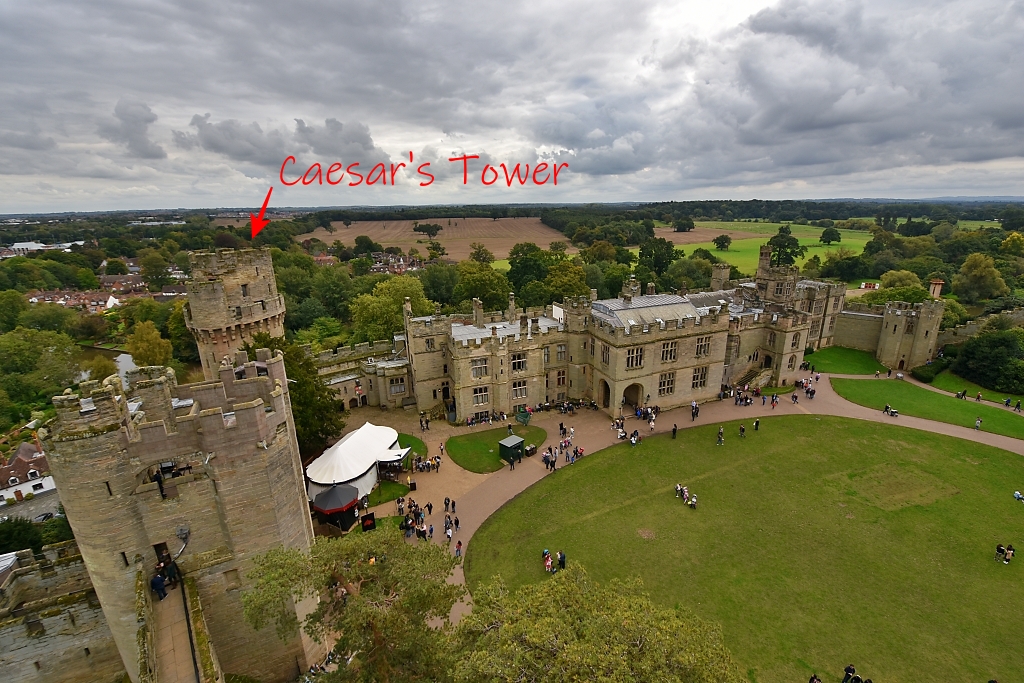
point(481, 496)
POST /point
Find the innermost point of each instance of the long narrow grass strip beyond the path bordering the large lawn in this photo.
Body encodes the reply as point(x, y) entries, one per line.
point(911, 400)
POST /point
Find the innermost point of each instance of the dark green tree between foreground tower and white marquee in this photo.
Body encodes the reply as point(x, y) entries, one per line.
point(316, 410)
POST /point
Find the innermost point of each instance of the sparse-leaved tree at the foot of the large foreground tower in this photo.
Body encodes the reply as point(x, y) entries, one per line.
point(378, 596)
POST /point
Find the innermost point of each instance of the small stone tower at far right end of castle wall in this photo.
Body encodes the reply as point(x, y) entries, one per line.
point(909, 334)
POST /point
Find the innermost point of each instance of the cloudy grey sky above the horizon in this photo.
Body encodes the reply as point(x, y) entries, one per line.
point(148, 104)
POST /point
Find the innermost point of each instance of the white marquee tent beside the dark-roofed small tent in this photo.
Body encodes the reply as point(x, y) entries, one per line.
point(354, 460)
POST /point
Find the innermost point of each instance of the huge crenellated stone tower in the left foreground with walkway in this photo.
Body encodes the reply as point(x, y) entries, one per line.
point(232, 488)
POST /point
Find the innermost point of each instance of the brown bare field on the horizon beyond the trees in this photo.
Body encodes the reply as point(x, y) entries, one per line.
point(499, 236)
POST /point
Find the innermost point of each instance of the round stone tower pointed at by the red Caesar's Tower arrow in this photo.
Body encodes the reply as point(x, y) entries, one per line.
point(233, 295)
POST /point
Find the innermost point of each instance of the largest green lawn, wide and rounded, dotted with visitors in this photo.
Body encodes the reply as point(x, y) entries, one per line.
point(810, 557)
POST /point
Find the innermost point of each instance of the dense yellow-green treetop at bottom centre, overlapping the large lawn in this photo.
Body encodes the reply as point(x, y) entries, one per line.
point(573, 629)
